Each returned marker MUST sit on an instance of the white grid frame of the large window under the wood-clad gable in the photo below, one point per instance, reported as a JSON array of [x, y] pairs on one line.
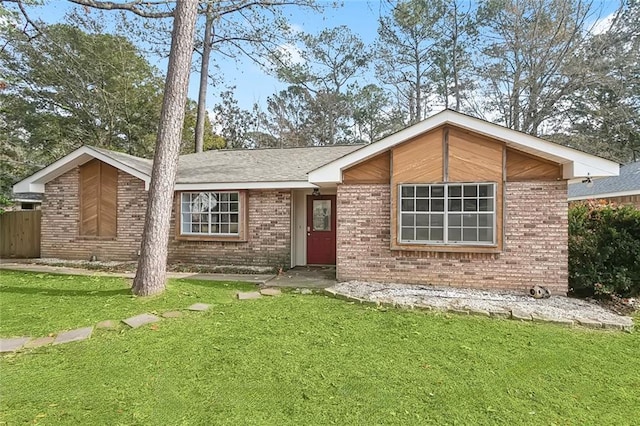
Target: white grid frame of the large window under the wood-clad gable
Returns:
[[451, 213]]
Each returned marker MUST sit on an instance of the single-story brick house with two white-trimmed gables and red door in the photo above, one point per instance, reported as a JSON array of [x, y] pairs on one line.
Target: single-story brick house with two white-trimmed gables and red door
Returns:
[[452, 200]]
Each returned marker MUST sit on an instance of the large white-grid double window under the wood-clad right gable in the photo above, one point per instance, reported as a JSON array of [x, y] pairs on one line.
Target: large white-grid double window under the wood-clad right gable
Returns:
[[448, 213]]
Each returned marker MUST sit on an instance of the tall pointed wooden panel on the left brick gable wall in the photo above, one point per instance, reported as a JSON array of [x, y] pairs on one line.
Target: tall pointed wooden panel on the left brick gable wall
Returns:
[[98, 199]]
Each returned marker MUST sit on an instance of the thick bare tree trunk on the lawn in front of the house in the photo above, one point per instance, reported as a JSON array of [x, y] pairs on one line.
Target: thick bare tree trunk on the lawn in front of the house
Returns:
[[152, 267]]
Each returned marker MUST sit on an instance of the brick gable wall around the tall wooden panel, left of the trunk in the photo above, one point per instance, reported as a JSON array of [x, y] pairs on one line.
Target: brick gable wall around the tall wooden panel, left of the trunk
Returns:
[[60, 219]]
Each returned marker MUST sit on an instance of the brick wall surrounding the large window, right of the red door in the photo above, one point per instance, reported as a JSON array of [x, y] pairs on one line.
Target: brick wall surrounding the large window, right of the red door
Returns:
[[535, 243]]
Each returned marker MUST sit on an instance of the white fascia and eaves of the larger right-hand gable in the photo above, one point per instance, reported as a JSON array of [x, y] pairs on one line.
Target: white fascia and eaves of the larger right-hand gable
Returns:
[[574, 163]]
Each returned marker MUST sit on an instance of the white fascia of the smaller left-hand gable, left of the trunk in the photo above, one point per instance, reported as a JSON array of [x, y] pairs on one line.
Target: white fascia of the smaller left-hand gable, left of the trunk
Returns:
[[36, 182]]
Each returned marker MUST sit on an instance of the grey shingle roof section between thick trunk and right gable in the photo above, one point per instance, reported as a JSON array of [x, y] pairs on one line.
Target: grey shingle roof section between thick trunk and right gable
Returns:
[[249, 168]]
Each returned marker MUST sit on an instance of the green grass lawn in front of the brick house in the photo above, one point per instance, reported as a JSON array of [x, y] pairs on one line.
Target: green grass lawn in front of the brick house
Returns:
[[298, 359]]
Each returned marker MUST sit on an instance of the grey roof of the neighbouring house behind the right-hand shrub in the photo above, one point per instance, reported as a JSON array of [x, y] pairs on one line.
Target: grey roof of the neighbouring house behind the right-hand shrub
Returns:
[[627, 183]]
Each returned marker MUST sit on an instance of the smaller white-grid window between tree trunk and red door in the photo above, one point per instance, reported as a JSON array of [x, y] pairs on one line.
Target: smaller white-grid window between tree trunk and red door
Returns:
[[210, 213]]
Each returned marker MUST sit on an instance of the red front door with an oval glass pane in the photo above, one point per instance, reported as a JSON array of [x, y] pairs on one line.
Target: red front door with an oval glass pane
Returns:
[[321, 230]]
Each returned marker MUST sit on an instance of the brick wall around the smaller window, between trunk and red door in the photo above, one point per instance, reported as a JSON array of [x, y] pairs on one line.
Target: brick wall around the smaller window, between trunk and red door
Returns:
[[268, 240]]
